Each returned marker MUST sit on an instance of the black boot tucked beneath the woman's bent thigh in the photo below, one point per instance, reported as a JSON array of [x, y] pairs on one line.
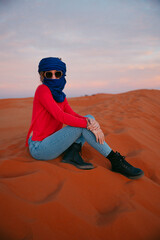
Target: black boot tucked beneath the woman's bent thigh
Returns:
[[72, 156]]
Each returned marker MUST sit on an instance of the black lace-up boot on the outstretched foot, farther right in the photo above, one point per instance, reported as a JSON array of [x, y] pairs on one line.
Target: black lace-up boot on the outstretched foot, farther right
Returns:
[[120, 165]]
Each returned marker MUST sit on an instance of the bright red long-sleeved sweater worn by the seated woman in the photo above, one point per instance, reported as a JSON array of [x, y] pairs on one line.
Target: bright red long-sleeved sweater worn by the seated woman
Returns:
[[48, 115]]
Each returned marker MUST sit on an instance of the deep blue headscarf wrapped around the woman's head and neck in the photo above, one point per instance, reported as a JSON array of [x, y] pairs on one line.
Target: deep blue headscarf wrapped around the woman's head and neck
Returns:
[[55, 85]]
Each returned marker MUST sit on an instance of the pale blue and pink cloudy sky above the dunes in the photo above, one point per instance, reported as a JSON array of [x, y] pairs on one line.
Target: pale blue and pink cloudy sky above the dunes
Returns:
[[109, 46]]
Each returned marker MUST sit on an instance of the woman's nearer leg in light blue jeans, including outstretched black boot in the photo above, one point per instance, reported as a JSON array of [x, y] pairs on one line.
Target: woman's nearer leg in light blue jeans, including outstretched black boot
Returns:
[[52, 146]]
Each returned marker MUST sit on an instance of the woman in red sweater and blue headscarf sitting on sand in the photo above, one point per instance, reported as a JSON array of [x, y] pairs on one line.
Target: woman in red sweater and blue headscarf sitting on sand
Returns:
[[51, 110]]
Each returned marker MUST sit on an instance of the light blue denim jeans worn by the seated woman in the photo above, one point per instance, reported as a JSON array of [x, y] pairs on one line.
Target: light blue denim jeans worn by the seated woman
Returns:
[[54, 145]]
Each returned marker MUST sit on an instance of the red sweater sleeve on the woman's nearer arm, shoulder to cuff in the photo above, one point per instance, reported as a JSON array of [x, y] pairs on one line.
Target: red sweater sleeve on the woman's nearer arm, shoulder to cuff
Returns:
[[45, 98]]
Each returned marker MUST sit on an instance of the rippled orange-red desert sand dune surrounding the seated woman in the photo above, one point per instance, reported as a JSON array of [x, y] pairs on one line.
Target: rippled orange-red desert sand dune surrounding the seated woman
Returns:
[[53, 200]]
